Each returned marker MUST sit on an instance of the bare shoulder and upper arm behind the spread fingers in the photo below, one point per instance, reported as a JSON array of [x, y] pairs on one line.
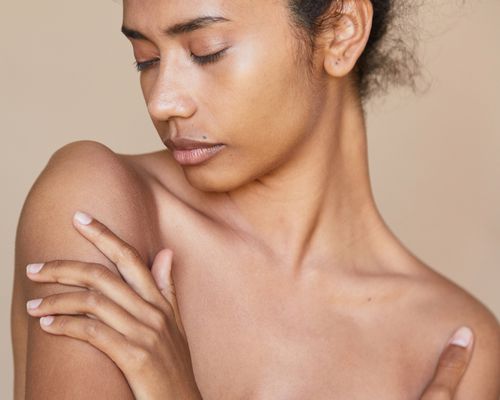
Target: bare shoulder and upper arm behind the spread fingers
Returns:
[[83, 176]]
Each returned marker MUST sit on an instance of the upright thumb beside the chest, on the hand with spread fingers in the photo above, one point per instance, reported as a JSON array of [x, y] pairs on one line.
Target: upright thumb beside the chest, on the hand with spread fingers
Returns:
[[162, 274]]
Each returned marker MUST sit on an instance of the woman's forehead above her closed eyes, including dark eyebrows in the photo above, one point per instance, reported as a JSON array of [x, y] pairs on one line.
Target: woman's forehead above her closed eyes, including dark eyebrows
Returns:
[[161, 20]]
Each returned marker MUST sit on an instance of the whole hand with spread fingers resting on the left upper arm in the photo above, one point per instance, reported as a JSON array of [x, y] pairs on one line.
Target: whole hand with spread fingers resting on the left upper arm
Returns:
[[134, 320]]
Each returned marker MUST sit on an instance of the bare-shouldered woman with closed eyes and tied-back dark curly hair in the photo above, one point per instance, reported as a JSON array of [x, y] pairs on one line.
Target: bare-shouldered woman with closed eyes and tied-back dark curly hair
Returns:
[[288, 281]]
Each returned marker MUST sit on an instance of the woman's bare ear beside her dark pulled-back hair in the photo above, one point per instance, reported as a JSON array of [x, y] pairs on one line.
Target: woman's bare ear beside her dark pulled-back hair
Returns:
[[348, 38]]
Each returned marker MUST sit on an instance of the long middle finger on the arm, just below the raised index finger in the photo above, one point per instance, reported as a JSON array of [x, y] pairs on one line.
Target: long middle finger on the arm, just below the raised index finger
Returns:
[[96, 277]]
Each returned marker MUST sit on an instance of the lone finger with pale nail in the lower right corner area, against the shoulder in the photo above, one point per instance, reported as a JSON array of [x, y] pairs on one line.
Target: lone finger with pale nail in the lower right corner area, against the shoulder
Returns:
[[451, 366]]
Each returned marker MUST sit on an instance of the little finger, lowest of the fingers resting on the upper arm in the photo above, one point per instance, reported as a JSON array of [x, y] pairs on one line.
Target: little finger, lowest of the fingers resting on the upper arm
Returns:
[[112, 343]]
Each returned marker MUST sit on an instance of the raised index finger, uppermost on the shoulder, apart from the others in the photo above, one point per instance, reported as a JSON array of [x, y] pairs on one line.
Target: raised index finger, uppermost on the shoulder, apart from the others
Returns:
[[125, 257]]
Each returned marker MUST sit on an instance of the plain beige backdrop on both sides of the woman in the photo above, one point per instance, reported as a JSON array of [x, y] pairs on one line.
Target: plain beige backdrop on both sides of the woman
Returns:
[[66, 74]]
